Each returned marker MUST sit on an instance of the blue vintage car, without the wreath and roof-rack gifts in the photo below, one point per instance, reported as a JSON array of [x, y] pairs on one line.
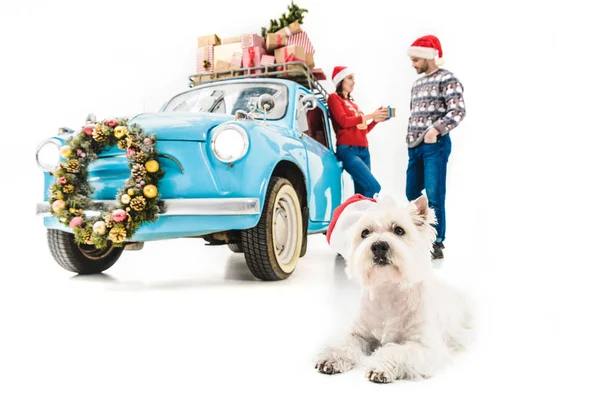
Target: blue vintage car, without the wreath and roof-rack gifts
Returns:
[[249, 163]]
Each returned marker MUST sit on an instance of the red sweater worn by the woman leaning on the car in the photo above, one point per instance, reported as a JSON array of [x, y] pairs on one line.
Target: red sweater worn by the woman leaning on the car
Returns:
[[346, 119]]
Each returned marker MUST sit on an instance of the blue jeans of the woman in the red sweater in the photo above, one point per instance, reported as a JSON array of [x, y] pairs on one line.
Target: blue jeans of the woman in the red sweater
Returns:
[[357, 162]]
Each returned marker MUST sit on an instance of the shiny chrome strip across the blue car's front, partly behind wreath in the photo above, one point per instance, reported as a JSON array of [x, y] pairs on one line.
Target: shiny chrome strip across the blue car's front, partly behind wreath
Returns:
[[213, 206]]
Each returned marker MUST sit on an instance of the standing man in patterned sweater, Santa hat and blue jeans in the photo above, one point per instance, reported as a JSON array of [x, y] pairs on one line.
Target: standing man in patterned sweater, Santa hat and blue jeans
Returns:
[[437, 106]]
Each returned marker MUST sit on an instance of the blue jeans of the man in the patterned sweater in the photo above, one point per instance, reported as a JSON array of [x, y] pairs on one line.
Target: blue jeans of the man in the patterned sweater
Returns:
[[427, 170]]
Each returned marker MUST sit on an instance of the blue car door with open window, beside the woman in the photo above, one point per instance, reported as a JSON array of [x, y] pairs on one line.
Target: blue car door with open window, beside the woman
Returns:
[[324, 171]]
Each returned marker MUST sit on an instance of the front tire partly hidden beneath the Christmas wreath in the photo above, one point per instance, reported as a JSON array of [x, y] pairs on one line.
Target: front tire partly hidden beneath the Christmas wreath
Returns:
[[82, 259]]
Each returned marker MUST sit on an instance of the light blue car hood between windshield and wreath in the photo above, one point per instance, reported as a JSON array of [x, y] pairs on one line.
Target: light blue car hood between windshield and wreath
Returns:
[[179, 125]]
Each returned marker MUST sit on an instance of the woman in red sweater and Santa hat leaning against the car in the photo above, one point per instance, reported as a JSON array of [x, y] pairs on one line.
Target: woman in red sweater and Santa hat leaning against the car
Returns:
[[351, 128]]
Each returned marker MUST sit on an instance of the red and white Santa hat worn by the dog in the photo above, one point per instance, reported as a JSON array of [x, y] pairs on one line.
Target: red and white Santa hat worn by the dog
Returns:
[[344, 216]]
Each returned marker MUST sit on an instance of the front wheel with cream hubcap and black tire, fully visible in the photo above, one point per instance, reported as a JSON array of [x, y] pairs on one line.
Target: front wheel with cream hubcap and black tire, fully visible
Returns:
[[272, 248]]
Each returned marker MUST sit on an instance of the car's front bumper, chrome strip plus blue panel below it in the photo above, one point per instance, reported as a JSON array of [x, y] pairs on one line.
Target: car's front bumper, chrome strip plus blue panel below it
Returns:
[[179, 218]]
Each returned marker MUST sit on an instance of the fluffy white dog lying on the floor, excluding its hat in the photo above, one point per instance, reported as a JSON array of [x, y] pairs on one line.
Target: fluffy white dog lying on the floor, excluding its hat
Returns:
[[410, 323]]
